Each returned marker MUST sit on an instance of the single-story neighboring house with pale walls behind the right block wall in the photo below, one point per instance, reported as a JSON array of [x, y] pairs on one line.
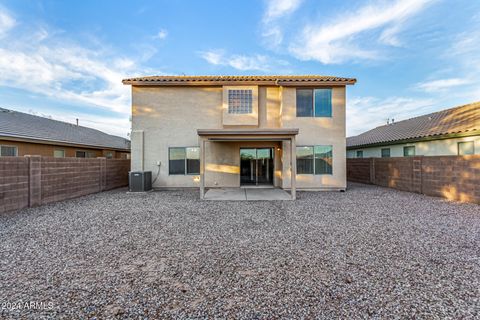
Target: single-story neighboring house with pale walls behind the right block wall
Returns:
[[454, 131]]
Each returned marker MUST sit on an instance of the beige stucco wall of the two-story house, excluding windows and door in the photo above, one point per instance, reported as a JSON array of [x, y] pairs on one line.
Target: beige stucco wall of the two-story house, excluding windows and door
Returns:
[[166, 117]]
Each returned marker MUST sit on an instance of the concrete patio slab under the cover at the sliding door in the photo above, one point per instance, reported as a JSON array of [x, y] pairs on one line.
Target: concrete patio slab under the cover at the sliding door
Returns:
[[239, 194]]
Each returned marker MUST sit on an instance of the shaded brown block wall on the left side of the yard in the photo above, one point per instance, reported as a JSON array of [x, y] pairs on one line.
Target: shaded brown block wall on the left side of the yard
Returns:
[[33, 180]]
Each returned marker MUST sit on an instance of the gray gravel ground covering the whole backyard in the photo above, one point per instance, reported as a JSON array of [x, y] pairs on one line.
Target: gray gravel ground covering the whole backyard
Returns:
[[368, 253]]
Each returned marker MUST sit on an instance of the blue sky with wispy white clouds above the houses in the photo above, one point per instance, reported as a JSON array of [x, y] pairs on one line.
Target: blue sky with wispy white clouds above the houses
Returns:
[[66, 59]]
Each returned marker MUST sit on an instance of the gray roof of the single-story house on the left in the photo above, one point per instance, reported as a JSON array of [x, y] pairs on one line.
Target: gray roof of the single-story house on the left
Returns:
[[27, 126]]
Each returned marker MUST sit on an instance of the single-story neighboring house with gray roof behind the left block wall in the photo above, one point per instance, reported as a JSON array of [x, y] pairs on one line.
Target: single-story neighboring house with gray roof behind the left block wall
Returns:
[[25, 134]]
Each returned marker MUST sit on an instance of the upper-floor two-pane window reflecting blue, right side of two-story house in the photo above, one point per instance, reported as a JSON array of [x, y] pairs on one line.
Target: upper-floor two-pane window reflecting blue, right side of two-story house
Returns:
[[314, 102]]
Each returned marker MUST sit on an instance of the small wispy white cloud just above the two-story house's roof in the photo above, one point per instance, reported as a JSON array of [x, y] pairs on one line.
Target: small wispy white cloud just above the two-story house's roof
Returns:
[[255, 62]]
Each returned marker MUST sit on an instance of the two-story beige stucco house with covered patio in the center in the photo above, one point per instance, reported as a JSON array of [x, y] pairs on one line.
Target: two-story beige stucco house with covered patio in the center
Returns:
[[232, 131]]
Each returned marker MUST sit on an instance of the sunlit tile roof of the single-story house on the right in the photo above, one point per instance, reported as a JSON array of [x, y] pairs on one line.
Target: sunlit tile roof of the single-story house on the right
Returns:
[[461, 119]]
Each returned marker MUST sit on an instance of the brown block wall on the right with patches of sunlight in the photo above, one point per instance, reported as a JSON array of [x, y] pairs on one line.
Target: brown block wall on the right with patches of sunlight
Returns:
[[451, 177]]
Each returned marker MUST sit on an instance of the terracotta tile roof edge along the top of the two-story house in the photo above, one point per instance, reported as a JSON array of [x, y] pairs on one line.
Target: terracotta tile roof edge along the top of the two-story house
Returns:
[[220, 80]]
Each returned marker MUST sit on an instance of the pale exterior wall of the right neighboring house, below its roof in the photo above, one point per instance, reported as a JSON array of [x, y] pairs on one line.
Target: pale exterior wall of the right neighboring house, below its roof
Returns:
[[444, 147]]
